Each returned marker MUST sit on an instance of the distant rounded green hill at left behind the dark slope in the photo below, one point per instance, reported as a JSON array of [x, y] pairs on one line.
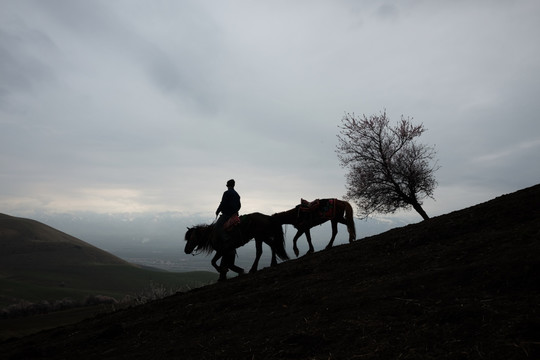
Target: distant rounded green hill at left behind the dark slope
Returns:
[[38, 262]]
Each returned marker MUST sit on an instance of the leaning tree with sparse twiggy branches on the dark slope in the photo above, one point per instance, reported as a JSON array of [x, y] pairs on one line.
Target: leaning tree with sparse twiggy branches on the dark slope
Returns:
[[388, 170]]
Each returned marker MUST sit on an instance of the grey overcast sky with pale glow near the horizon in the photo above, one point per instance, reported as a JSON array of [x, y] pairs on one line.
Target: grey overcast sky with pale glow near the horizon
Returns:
[[131, 106]]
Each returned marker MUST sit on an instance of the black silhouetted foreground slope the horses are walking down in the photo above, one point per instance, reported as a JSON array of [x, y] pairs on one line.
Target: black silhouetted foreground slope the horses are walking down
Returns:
[[459, 286]]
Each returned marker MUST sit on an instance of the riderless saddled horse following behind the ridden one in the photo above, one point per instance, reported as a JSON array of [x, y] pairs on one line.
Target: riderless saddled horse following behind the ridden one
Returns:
[[307, 215]]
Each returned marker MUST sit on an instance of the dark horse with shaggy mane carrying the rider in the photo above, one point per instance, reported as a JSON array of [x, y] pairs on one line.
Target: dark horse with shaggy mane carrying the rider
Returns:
[[262, 228]]
